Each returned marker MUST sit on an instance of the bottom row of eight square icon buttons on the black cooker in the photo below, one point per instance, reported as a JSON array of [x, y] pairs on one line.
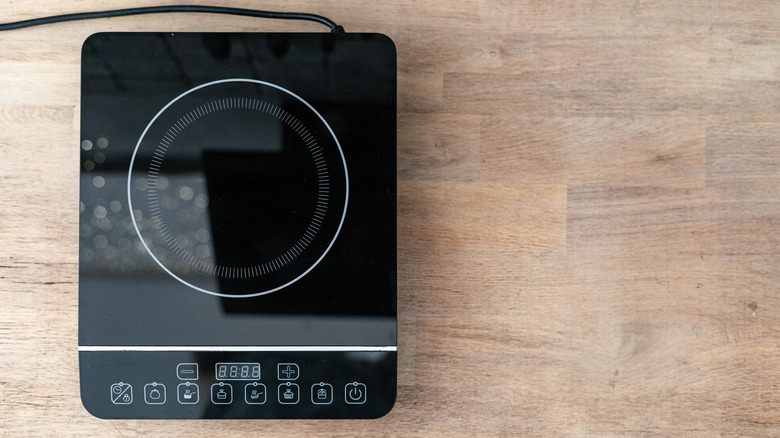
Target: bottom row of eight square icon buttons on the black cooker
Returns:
[[255, 393]]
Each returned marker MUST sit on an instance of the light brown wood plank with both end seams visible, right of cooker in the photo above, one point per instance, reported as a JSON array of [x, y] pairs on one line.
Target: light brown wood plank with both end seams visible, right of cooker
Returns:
[[607, 151]]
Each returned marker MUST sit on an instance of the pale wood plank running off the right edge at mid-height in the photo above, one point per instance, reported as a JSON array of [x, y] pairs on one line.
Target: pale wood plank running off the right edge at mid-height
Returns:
[[644, 220]]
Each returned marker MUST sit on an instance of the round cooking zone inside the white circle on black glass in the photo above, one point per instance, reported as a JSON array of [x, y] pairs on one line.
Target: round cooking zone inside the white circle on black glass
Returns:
[[238, 188]]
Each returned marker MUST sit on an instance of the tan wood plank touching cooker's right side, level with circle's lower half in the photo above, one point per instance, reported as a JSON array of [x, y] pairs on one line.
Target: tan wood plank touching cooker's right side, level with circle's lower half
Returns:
[[472, 216]]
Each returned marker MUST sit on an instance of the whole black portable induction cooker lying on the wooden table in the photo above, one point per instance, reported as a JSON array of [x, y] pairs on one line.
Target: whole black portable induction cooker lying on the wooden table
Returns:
[[237, 244]]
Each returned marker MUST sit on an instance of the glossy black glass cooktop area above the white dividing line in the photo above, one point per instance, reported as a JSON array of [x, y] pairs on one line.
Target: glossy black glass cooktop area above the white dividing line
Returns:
[[230, 196]]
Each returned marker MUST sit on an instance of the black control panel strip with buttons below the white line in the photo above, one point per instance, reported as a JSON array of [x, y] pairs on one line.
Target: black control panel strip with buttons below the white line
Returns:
[[238, 384]]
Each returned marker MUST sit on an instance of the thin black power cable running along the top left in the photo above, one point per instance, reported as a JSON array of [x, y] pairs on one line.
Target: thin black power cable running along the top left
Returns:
[[335, 28]]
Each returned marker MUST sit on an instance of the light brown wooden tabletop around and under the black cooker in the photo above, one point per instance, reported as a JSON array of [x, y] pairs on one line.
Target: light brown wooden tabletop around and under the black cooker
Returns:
[[588, 216]]
